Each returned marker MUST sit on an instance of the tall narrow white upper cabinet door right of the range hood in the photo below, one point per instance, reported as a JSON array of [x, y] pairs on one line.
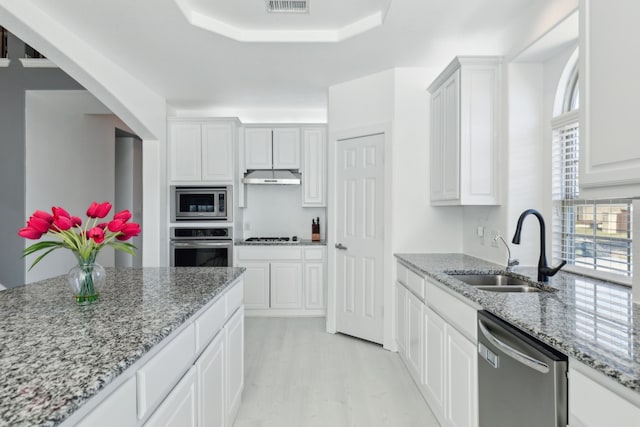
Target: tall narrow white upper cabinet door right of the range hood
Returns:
[[314, 167]]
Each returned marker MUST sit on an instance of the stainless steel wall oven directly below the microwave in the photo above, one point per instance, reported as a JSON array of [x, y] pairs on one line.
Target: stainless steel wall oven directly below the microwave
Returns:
[[201, 247]]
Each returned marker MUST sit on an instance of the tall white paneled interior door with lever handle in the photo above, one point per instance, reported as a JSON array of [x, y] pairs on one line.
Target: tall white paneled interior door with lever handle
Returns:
[[360, 236]]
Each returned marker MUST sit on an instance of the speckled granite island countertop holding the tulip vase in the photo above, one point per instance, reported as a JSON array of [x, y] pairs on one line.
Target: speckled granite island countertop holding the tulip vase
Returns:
[[55, 354]]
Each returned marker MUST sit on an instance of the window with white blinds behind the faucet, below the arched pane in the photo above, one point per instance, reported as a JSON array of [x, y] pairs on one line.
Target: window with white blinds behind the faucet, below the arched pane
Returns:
[[593, 234]]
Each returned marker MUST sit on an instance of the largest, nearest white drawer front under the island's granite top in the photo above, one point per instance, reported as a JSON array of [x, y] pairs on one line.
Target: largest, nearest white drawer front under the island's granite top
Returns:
[[162, 372]]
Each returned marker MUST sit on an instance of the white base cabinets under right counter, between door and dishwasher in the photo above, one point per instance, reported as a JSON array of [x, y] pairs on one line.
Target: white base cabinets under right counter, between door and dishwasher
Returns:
[[438, 350]]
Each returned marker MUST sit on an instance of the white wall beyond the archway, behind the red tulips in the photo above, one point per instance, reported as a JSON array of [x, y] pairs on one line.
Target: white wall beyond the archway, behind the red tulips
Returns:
[[70, 162]]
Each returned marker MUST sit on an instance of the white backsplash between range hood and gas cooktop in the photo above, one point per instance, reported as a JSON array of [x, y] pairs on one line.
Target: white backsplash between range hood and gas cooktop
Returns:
[[276, 211]]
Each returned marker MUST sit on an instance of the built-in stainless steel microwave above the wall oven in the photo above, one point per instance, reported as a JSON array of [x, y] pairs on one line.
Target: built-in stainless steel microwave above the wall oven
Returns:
[[201, 204]]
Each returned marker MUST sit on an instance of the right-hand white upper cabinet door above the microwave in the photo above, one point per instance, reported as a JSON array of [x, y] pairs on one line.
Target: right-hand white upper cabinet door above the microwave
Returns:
[[217, 152]]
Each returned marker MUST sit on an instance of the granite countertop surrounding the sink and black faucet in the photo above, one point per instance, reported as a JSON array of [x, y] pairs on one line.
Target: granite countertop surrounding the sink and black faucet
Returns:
[[590, 320]]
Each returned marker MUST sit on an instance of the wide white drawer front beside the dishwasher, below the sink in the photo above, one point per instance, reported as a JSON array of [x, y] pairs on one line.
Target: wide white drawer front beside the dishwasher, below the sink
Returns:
[[456, 312]]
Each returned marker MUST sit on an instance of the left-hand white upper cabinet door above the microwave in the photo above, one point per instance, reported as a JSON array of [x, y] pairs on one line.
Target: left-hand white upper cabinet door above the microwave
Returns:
[[185, 151]]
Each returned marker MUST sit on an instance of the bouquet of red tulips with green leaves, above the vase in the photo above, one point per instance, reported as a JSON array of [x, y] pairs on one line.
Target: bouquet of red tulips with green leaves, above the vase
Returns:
[[84, 241]]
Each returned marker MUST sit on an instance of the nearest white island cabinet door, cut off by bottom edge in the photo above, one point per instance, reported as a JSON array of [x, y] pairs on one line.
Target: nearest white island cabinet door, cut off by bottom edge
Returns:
[[179, 408]]
